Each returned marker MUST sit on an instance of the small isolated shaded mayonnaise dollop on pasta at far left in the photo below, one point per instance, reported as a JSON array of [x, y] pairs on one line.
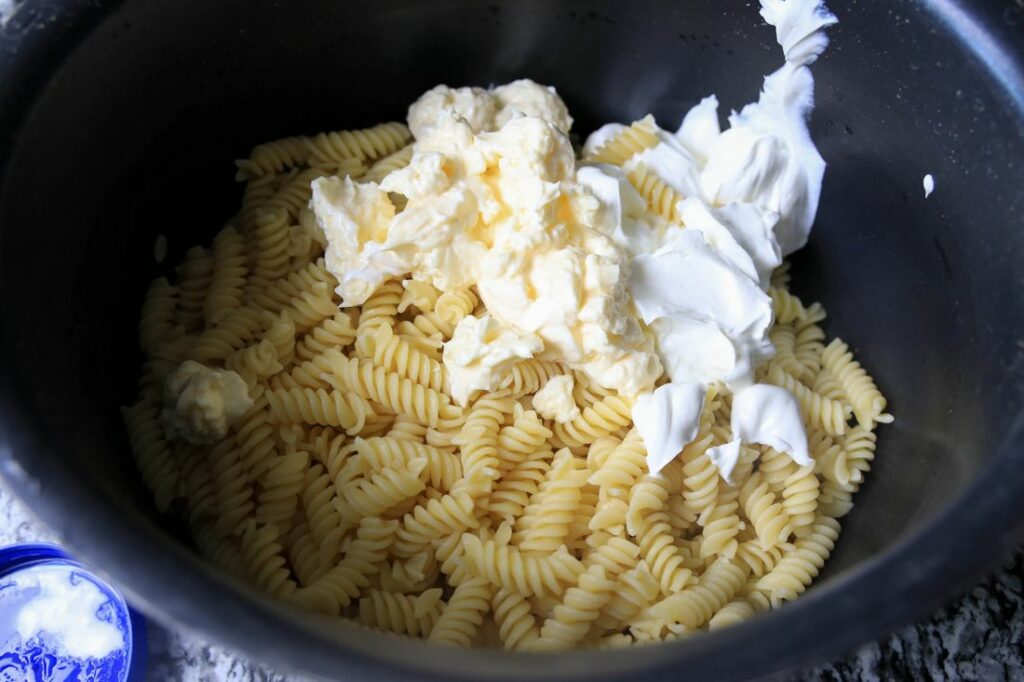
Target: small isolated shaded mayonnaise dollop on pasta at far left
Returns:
[[201, 403]]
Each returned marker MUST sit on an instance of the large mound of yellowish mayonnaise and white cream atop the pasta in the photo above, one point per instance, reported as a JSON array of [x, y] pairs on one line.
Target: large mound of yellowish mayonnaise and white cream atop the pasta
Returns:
[[572, 267]]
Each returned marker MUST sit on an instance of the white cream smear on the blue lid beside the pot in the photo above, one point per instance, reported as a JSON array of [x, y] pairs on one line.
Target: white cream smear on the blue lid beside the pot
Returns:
[[67, 613]]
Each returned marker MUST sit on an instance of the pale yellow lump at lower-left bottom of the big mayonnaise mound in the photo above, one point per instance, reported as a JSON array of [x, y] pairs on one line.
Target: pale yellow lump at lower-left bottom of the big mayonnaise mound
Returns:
[[480, 354]]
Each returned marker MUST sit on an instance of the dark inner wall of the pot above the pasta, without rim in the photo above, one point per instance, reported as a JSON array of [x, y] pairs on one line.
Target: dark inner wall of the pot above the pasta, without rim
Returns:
[[135, 134]]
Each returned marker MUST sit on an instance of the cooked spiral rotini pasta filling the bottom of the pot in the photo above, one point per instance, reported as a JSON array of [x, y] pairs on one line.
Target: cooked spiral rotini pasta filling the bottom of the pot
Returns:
[[356, 487]]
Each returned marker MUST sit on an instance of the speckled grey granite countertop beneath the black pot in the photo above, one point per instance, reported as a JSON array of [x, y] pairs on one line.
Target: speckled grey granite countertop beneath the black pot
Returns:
[[978, 637]]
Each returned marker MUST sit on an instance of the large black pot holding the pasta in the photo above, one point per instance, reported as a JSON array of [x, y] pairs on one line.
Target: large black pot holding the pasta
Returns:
[[120, 121]]
